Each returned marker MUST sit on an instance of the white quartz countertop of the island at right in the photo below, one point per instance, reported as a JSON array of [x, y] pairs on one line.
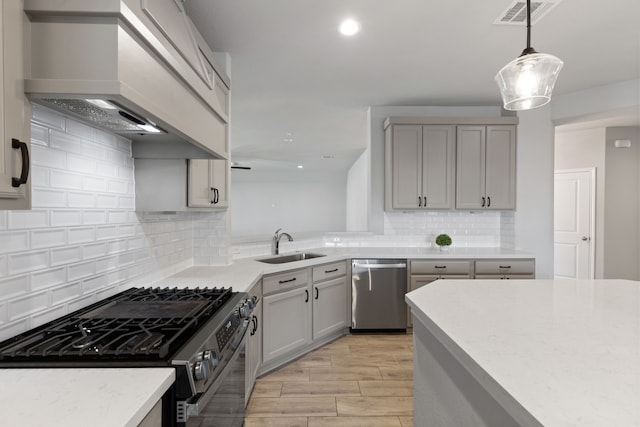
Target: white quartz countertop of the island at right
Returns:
[[568, 351]]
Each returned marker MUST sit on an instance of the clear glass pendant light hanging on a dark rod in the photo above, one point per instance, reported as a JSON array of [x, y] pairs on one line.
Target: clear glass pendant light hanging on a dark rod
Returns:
[[527, 81]]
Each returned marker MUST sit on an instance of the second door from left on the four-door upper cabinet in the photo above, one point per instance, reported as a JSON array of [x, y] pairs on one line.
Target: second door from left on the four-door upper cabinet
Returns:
[[437, 166]]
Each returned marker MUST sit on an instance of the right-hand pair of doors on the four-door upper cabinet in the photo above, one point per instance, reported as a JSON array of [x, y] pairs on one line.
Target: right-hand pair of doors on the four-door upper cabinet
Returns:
[[486, 167]]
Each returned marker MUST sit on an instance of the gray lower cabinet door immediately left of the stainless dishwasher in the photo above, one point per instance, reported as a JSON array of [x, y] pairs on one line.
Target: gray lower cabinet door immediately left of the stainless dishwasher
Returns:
[[329, 307]]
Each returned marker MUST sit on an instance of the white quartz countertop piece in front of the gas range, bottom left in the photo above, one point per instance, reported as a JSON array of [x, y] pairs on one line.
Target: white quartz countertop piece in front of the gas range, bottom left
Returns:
[[80, 397]]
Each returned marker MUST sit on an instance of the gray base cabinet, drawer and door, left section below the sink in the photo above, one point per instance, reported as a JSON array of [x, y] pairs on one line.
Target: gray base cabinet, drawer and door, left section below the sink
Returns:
[[287, 314]]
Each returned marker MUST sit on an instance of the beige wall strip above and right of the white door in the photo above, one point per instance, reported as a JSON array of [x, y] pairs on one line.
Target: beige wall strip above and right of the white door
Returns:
[[585, 148]]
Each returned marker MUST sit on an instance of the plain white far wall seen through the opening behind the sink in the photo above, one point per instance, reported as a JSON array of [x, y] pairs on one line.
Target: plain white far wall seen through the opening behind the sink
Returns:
[[308, 201]]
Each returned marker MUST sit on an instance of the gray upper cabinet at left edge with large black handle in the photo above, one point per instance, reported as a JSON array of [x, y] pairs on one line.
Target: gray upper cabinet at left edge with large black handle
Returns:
[[15, 123]]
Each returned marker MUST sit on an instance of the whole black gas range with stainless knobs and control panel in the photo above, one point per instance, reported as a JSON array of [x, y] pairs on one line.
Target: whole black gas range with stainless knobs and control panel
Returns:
[[198, 331]]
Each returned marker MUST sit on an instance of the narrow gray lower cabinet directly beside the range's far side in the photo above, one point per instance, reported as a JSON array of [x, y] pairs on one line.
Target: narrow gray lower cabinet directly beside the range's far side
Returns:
[[254, 342]]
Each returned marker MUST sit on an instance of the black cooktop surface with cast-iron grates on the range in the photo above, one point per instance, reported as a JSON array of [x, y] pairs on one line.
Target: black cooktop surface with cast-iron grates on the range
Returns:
[[138, 324]]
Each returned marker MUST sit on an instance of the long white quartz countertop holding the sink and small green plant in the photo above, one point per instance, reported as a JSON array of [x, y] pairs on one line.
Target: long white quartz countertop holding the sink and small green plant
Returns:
[[246, 272]]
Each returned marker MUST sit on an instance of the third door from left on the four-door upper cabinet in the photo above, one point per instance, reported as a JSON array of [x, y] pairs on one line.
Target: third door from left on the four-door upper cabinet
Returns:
[[470, 167]]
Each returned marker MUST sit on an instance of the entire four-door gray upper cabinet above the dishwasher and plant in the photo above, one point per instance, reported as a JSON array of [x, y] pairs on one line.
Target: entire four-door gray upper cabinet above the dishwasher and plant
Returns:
[[446, 163]]
